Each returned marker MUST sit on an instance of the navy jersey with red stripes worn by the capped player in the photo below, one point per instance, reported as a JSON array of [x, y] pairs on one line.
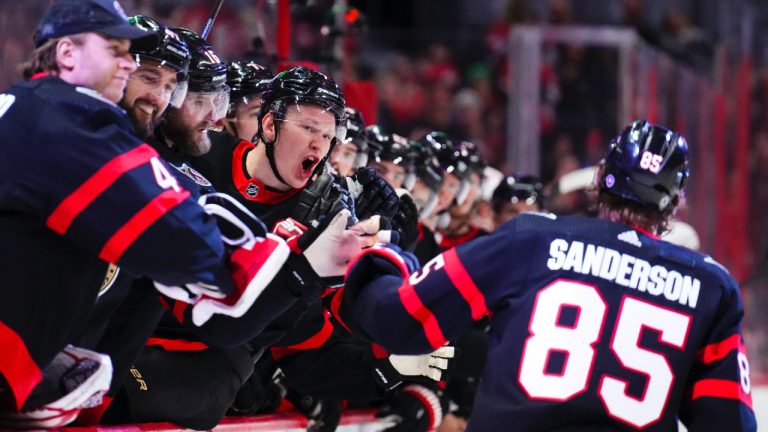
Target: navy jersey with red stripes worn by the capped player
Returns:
[[78, 190]]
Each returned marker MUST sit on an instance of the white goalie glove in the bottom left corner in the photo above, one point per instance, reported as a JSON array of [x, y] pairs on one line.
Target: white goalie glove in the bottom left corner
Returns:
[[76, 379]]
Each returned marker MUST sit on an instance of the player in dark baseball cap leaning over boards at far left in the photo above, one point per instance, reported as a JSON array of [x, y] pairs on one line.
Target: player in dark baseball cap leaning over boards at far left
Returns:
[[82, 194]]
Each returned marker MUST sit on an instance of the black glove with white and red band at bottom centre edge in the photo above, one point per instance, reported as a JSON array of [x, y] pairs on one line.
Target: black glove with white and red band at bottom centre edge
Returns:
[[415, 408]]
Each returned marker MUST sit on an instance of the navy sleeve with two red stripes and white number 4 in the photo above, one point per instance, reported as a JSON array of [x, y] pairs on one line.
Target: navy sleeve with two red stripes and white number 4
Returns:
[[99, 186]]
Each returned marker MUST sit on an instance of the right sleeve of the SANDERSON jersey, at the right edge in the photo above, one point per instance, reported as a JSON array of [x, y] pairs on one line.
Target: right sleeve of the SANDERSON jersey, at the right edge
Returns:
[[719, 395]]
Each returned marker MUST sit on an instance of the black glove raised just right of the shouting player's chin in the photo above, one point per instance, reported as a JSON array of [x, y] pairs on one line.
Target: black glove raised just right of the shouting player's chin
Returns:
[[373, 195]]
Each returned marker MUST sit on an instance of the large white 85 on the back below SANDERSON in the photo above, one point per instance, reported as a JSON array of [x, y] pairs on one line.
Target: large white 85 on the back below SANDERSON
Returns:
[[576, 340]]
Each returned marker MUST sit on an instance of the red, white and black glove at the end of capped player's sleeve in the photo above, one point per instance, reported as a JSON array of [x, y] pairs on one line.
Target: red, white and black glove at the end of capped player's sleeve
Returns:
[[255, 257]]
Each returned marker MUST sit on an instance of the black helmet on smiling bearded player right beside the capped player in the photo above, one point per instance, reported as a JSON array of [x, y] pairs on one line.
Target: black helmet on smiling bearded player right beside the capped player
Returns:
[[168, 48]]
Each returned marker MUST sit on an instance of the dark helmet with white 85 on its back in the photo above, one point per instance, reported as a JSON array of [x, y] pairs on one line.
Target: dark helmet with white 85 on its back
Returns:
[[646, 164]]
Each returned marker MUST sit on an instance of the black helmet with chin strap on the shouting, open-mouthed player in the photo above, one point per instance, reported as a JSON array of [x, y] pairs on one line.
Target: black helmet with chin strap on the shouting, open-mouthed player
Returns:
[[299, 85]]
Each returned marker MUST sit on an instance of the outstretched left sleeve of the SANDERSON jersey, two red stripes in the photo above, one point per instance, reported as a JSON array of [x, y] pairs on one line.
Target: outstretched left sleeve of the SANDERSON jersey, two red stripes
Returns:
[[419, 312]]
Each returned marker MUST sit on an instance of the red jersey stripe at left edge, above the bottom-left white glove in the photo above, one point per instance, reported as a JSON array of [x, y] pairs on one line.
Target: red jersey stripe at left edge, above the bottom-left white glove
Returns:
[[17, 366]]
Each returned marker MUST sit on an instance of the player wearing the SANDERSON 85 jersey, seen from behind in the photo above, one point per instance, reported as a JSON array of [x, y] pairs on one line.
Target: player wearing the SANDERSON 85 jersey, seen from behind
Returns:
[[620, 330]]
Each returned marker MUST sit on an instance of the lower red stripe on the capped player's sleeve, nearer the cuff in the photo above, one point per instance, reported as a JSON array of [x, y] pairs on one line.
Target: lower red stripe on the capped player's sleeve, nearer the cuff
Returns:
[[128, 233]]
